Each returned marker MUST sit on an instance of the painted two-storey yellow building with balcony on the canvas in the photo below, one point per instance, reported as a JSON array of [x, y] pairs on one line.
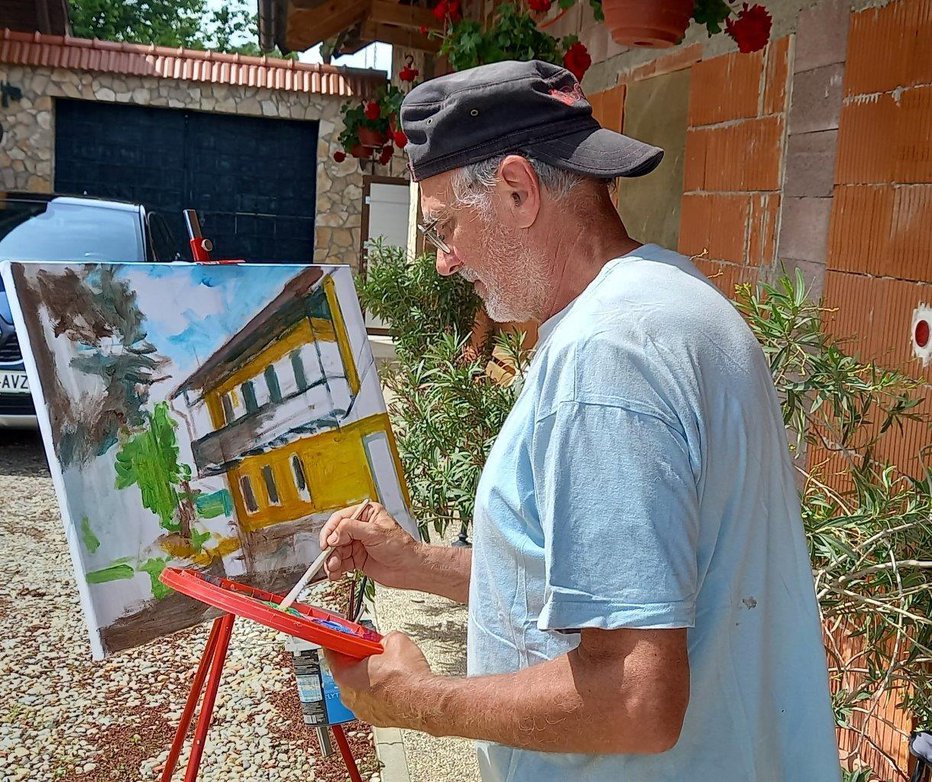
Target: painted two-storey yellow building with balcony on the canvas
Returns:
[[296, 423]]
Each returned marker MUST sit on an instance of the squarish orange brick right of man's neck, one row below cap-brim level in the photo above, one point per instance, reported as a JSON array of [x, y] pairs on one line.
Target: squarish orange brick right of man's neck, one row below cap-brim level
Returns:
[[714, 226]]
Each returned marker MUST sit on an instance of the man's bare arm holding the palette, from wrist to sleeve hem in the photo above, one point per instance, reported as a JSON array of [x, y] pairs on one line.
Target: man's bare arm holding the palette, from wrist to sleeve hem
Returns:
[[568, 704]]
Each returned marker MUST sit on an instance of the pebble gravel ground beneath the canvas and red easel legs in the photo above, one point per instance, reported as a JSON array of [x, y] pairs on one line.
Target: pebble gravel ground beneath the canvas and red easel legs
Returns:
[[64, 717]]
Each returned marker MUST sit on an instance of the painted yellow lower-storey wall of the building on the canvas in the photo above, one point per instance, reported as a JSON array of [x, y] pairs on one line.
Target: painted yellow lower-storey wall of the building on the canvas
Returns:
[[335, 465]]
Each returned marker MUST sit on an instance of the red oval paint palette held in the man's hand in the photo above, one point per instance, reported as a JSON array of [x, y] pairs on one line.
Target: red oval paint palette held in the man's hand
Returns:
[[316, 625]]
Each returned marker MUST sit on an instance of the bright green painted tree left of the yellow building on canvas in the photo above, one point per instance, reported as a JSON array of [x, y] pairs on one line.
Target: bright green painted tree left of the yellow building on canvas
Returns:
[[148, 458]]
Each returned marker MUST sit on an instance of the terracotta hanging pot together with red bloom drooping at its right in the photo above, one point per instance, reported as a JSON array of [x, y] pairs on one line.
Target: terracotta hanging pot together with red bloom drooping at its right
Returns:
[[663, 23]]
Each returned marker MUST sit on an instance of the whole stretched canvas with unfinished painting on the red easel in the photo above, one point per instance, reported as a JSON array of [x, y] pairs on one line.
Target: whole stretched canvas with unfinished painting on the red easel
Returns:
[[208, 416]]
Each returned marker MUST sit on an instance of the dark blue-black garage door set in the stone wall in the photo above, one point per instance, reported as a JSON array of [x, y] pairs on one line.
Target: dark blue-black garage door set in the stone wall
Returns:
[[251, 179]]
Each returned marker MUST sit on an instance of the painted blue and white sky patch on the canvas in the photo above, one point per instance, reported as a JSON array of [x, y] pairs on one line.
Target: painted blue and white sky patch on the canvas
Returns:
[[192, 310]]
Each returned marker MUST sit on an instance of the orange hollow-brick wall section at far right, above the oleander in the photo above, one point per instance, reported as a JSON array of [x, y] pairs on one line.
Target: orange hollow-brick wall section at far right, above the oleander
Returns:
[[879, 261]]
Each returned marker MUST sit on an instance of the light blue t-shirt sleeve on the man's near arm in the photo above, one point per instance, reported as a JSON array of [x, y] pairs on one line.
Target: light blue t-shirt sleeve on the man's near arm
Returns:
[[618, 505]]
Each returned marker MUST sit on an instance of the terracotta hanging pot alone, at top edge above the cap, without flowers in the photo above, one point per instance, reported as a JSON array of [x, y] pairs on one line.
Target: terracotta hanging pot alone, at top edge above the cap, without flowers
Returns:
[[652, 23]]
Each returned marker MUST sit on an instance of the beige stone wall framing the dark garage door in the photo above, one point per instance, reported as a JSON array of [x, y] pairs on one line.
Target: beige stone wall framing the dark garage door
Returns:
[[28, 143]]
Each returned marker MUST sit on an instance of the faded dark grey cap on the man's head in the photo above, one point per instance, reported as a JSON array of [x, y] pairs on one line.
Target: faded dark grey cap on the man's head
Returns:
[[533, 108]]
